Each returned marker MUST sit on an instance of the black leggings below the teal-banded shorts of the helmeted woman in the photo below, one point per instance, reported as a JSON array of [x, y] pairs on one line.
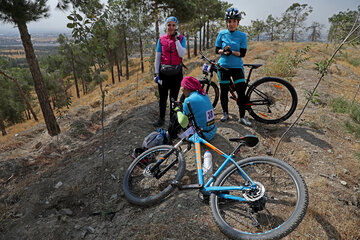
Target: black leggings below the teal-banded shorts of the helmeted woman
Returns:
[[240, 89]]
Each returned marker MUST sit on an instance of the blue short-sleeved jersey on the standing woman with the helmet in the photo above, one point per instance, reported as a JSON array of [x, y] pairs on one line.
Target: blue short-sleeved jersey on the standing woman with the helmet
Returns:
[[235, 40]]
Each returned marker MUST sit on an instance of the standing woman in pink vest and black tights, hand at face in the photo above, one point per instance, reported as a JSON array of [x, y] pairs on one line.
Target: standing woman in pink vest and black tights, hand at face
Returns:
[[170, 50]]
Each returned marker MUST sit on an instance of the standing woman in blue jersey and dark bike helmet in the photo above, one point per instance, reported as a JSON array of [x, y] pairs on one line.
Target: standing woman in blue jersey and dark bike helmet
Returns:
[[232, 45]]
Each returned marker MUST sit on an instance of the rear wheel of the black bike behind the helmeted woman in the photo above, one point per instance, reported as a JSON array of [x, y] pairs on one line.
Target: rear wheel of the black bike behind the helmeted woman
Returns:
[[271, 100]]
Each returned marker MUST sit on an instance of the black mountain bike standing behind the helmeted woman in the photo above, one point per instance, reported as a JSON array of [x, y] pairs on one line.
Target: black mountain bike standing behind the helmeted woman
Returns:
[[269, 99]]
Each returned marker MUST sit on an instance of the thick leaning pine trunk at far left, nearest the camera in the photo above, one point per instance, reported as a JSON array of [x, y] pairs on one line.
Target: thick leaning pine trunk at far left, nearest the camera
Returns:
[[40, 89]]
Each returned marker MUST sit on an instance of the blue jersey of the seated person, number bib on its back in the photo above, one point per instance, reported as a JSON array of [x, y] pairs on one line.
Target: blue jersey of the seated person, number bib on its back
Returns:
[[203, 112]]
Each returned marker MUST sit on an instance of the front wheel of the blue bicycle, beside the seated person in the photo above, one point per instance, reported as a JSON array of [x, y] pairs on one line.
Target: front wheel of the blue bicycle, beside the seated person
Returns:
[[144, 187]]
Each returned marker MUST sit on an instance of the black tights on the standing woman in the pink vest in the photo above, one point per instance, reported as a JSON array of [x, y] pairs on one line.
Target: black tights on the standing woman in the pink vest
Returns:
[[168, 83]]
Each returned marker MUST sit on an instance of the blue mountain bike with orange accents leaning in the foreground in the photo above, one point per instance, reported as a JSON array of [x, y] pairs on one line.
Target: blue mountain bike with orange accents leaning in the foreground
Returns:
[[254, 198]]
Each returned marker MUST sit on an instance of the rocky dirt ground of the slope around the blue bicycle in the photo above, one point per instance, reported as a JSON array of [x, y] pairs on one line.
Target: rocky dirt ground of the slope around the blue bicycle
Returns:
[[64, 188]]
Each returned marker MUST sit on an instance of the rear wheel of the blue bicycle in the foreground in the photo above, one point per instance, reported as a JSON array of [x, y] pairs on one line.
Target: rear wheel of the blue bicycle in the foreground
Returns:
[[271, 211]]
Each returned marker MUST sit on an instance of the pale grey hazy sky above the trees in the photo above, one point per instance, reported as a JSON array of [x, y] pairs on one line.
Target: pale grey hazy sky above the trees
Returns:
[[254, 9]]
